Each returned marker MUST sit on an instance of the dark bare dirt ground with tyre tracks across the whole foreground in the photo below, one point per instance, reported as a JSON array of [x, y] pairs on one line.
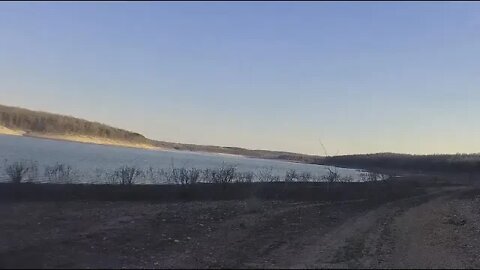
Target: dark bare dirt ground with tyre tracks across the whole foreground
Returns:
[[439, 230]]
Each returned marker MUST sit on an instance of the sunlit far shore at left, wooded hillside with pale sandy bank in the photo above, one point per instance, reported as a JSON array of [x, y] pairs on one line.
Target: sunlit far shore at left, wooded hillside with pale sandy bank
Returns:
[[23, 122]]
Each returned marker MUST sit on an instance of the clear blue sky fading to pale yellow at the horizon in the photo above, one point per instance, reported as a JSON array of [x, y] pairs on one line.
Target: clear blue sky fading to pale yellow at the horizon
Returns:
[[359, 77]]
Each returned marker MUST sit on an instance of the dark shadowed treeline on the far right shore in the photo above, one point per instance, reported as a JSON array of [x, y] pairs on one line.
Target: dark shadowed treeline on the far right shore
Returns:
[[466, 163]]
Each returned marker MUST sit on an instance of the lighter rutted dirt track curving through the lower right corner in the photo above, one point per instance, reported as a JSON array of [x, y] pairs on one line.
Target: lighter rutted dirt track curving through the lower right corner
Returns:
[[411, 233]]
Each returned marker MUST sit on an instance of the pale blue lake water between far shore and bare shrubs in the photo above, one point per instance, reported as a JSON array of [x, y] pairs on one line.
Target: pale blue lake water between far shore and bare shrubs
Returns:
[[89, 161]]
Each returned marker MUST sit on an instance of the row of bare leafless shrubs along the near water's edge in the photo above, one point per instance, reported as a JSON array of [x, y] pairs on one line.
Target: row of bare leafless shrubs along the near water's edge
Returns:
[[62, 173]]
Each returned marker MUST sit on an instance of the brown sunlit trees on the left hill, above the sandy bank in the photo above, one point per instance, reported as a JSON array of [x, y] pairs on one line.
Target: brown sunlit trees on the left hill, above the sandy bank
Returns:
[[48, 123]]
